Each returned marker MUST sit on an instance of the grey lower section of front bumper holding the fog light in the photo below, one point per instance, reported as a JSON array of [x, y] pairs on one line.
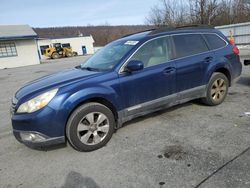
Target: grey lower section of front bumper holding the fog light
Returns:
[[35, 139]]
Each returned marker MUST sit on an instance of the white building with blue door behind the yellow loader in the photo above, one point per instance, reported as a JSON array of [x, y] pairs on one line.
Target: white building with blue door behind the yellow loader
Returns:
[[83, 45]]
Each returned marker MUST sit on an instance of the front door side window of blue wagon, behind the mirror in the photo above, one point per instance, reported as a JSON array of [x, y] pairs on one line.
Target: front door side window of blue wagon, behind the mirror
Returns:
[[154, 52]]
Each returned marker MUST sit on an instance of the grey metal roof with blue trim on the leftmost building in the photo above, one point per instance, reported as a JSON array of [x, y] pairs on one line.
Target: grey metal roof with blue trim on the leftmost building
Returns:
[[11, 32]]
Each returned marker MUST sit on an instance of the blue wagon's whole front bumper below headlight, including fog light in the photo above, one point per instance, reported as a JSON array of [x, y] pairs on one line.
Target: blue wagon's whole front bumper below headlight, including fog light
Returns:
[[42, 128]]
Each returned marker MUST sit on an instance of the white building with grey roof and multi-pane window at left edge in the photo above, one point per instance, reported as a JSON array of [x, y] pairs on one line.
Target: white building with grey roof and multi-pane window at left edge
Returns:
[[17, 46]]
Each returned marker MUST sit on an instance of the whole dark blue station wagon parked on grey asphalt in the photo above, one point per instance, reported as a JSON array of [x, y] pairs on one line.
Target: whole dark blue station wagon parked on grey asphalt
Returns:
[[129, 77]]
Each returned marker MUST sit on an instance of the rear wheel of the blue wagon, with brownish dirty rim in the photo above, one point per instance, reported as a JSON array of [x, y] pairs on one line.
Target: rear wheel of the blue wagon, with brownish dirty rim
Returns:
[[217, 89]]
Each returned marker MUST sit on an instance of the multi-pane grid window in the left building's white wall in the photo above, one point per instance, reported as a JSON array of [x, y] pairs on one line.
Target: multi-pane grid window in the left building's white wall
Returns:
[[7, 49]]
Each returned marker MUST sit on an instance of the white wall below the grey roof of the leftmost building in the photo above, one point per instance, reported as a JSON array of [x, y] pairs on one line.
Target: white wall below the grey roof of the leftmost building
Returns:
[[27, 54]]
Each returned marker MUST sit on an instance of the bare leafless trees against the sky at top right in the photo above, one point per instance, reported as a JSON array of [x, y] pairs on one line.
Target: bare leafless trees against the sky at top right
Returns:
[[209, 12]]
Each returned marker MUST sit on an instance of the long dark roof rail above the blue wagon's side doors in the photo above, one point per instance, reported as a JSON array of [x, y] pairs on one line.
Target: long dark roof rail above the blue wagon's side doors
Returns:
[[185, 27]]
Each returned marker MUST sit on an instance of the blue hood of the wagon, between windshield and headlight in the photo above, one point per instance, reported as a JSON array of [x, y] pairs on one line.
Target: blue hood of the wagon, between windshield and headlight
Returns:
[[53, 81]]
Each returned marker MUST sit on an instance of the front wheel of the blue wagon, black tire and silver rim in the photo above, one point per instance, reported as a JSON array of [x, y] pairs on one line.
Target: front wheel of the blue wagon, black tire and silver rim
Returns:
[[90, 127]]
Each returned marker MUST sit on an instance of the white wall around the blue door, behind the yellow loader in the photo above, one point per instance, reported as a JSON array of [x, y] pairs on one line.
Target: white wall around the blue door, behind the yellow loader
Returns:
[[75, 42]]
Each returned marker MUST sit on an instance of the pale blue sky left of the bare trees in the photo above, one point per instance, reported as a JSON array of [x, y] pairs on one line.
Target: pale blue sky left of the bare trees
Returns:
[[48, 13]]
